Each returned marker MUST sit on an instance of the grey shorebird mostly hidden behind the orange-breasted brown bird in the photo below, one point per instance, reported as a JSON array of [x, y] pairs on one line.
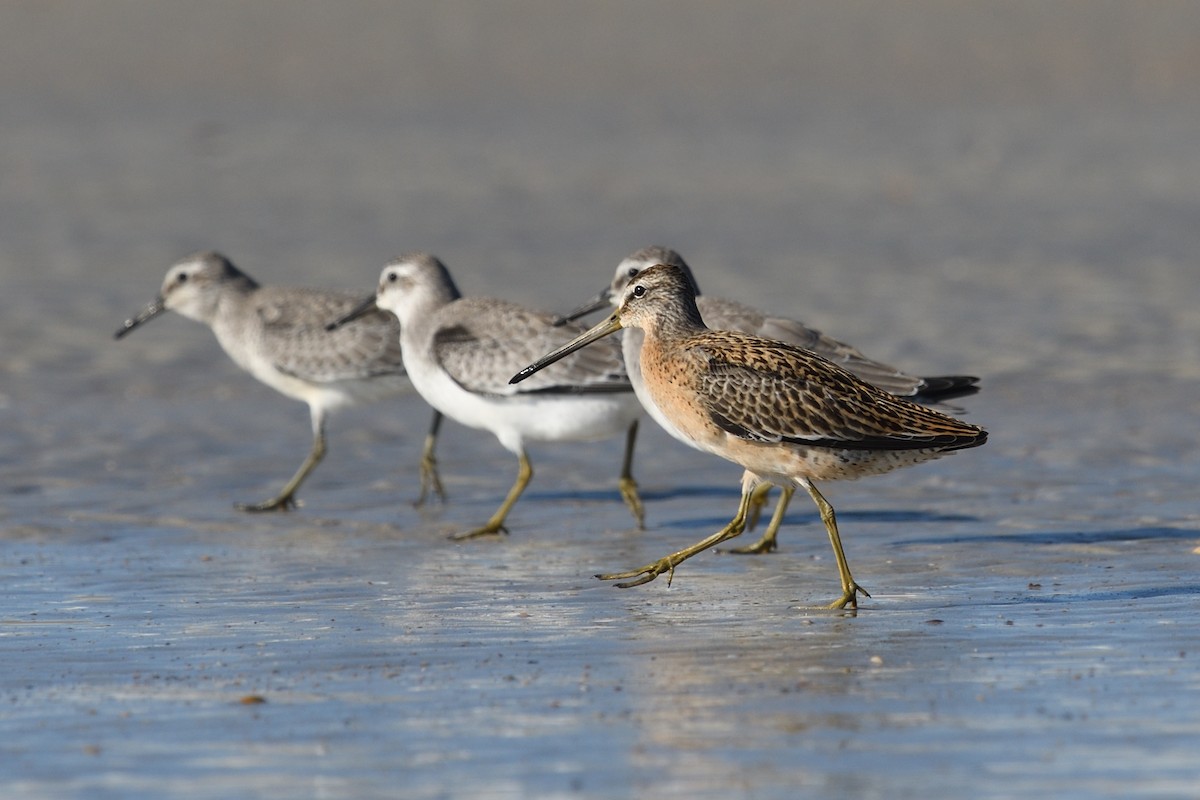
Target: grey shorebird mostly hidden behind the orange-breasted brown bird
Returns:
[[730, 316]]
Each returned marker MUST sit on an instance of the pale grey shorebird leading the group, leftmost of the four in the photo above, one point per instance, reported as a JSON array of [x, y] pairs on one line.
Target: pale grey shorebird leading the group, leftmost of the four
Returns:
[[278, 335]]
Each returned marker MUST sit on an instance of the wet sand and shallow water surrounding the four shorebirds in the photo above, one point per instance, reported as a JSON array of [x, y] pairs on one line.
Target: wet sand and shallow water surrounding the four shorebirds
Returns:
[[1033, 628]]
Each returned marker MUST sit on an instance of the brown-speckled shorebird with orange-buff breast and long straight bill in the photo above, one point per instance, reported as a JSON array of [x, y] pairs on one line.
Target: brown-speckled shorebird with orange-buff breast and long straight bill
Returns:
[[781, 412]]
